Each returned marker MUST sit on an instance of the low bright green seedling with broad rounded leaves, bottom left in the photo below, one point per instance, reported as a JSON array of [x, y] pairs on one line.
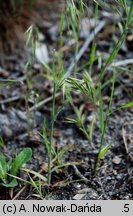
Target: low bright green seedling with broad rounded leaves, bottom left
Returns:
[[9, 170]]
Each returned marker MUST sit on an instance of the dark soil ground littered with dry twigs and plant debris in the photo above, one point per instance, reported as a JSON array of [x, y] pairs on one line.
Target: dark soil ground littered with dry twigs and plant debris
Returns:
[[114, 179]]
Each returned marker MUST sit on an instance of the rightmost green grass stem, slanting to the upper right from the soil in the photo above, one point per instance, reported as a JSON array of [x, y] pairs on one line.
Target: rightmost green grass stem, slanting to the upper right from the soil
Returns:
[[103, 122]]
